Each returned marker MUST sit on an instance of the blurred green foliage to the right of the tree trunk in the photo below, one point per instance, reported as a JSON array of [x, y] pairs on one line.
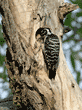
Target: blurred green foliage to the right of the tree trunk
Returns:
[[75, 55]]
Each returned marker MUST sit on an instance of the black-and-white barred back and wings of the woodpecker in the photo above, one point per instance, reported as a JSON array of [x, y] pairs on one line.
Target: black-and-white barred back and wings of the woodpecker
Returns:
[[51, 51]]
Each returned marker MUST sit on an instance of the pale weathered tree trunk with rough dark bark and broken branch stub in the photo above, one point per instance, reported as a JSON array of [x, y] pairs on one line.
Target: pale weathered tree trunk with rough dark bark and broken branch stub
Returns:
[[29, 80]]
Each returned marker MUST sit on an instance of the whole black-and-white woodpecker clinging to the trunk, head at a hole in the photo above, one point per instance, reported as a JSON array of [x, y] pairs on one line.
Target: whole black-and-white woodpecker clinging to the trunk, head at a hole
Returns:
[[50, 50]]
